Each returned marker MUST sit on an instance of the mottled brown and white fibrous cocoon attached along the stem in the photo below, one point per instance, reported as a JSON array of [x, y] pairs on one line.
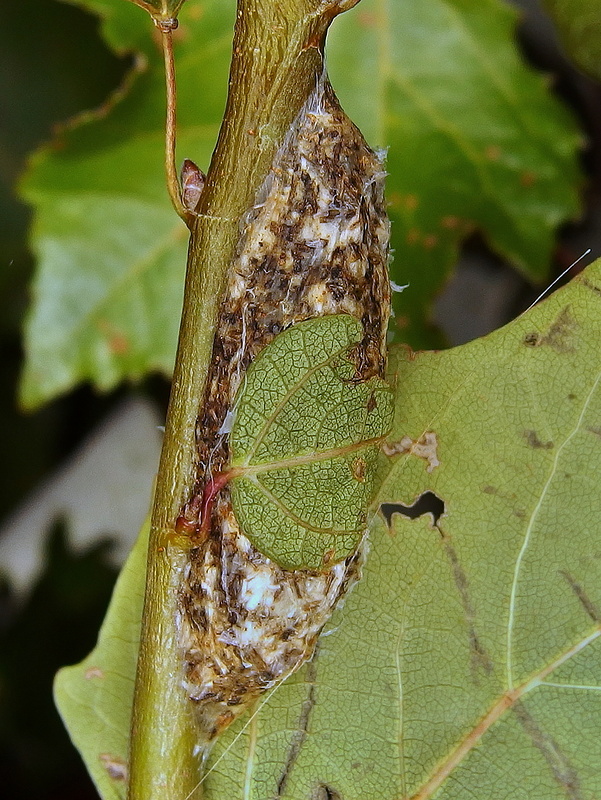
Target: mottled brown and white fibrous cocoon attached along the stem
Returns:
[[315, 242]]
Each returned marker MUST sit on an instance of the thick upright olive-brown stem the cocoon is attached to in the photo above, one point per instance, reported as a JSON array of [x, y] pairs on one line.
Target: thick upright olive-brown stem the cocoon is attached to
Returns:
[[277, 58]]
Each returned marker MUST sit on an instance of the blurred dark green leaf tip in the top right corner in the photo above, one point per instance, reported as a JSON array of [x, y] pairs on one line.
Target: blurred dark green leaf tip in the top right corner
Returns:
[[579, 25]]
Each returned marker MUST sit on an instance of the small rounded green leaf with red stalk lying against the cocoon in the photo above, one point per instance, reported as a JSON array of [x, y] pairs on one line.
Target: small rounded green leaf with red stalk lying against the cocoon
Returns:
[[306, 439]]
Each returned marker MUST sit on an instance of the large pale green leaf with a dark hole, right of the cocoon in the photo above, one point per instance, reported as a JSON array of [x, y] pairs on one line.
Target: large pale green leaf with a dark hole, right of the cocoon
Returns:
[[466, 661]]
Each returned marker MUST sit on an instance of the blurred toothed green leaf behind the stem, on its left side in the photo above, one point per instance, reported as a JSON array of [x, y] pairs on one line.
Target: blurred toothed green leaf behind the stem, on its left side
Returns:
[[112, 254]]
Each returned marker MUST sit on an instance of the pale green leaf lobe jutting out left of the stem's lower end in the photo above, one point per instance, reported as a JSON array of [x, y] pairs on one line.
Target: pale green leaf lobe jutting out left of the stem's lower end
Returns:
[[95, 697]]
